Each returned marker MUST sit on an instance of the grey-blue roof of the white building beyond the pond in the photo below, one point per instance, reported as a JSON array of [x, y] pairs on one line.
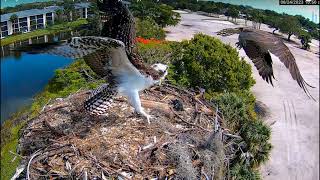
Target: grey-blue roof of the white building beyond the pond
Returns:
[[33, 12]]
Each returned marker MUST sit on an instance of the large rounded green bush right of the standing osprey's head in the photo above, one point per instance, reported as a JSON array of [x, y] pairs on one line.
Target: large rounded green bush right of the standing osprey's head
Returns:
[[206, 61]]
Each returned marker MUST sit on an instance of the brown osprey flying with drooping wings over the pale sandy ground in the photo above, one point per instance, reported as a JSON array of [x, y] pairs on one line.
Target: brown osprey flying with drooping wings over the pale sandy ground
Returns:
[[258, 45]]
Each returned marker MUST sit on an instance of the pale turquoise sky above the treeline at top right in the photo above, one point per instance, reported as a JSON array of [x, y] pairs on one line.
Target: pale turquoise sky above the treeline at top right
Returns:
[[304, 10]]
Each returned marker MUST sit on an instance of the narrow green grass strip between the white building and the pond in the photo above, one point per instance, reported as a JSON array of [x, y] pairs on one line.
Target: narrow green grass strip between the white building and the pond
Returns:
[[50, 30]]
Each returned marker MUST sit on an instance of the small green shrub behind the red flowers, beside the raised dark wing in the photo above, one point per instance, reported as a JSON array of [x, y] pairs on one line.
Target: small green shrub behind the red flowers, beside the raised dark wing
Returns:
[[148, 28]]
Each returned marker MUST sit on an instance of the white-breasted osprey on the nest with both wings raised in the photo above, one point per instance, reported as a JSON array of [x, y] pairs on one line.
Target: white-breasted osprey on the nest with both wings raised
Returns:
[[112, 57]]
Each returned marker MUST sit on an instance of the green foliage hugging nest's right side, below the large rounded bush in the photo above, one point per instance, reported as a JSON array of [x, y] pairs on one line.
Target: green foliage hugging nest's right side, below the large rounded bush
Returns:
[[255, 133]]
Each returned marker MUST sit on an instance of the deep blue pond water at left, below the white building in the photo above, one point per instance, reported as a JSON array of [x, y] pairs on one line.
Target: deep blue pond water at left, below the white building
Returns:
[[24, 75]]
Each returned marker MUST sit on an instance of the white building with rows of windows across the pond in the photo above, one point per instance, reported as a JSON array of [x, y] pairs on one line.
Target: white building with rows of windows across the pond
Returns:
[[29, 20]]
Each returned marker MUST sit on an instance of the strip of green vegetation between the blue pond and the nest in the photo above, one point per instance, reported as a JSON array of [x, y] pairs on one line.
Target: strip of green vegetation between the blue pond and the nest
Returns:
[[65, 82]]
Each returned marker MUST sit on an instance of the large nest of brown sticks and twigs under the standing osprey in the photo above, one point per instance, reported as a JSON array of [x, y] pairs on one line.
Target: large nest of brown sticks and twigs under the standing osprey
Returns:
[[183, 141]]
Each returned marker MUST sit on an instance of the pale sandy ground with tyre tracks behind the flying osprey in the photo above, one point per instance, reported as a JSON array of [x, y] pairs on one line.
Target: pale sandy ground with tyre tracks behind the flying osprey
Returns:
[[295, 132]]
